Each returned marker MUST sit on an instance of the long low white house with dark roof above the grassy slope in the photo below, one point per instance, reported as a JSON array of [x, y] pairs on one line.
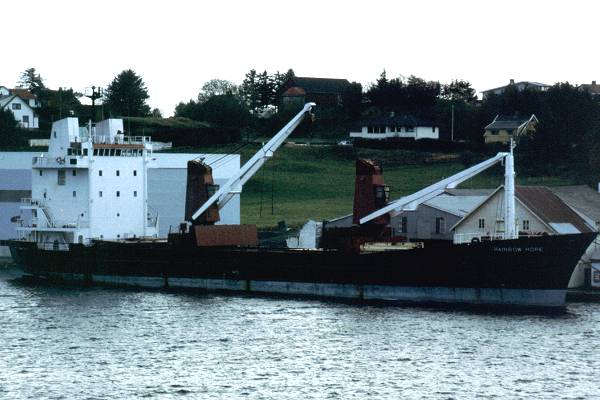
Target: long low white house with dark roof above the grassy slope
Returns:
[[395, 127]]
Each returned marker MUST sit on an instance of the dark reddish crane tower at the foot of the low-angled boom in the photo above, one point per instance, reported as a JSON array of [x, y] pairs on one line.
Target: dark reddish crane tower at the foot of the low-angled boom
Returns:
[[370, 193]]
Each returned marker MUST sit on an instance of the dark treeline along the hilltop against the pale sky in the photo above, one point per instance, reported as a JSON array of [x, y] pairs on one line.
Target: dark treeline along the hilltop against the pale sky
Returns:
[[566, 141]]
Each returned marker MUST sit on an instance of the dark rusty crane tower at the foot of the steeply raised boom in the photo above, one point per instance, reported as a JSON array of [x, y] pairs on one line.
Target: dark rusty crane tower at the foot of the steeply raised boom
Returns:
[[200, 186]]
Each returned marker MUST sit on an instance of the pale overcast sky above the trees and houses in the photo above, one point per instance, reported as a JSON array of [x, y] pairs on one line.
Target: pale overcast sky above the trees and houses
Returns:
[[177, 45]]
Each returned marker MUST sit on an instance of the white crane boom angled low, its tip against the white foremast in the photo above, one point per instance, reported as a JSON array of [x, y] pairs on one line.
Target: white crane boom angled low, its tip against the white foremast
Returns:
[[410, 202]]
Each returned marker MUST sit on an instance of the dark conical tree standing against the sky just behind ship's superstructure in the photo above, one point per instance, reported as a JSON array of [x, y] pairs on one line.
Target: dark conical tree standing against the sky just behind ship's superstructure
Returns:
[[126, 95]]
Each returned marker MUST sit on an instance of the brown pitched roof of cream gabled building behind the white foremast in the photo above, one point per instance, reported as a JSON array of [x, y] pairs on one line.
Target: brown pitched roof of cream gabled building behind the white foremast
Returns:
[[547, 206]]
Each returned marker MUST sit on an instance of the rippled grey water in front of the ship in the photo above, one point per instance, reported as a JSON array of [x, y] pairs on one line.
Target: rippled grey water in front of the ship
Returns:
[[73, 343]]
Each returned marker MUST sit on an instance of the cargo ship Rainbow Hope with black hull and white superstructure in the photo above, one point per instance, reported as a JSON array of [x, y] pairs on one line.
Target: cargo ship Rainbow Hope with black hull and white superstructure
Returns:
[[365, 261]]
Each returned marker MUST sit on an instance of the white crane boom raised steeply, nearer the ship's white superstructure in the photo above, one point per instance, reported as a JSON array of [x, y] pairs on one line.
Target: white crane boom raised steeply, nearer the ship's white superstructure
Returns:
[[235, 183]]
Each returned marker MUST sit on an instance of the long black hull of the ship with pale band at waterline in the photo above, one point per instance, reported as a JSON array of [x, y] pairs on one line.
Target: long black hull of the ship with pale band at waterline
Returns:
[[521, 272]]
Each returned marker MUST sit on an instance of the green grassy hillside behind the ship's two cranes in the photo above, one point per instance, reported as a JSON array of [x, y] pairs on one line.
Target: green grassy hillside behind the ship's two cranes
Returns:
[[317, 182]]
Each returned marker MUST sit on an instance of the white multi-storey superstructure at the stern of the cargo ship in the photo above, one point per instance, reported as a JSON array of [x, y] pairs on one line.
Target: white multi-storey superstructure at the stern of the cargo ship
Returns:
[[91, 184]]
